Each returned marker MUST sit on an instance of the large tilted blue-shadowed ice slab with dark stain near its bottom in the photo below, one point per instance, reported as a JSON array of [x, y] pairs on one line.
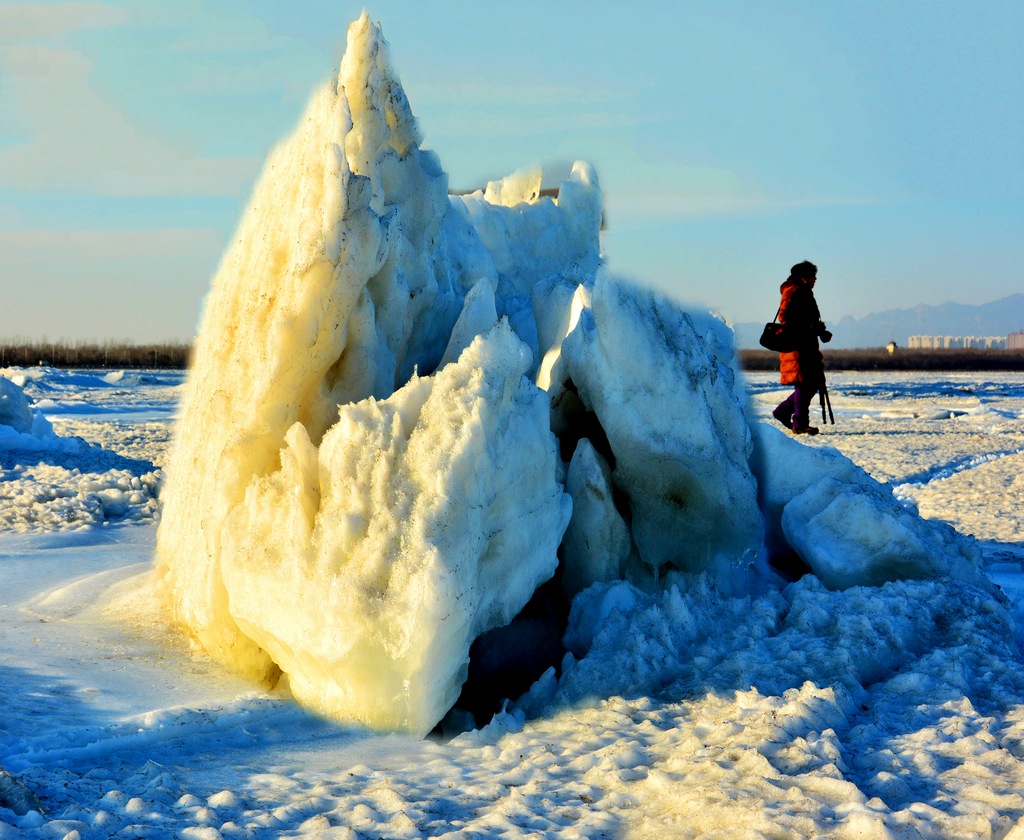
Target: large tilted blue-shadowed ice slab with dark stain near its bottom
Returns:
[[664, 387]]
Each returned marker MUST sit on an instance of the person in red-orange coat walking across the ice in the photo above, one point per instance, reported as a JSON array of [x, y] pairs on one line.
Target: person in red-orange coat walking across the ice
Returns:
[[804, 367]]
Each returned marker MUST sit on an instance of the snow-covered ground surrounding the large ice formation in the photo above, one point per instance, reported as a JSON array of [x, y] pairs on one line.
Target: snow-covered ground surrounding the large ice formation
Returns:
[[872, 712]]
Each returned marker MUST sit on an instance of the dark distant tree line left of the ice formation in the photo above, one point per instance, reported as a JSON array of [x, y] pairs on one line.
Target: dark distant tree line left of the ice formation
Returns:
[[23, 354]]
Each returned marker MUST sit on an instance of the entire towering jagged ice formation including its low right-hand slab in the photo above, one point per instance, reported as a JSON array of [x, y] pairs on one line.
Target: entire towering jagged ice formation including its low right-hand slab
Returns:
[[396, 394]]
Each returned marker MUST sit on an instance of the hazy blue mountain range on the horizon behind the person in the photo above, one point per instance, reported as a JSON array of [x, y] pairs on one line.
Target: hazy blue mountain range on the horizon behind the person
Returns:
[[999, 318]]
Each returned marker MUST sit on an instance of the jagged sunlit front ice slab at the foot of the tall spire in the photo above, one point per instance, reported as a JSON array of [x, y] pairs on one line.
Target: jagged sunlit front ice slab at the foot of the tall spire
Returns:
[[422, 522]]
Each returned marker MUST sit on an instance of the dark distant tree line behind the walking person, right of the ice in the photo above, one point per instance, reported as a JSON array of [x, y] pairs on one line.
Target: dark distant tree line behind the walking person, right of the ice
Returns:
[[872, 359]]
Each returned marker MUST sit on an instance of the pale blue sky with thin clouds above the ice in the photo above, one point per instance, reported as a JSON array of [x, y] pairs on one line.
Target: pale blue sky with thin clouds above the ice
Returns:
[[733, 140]]
